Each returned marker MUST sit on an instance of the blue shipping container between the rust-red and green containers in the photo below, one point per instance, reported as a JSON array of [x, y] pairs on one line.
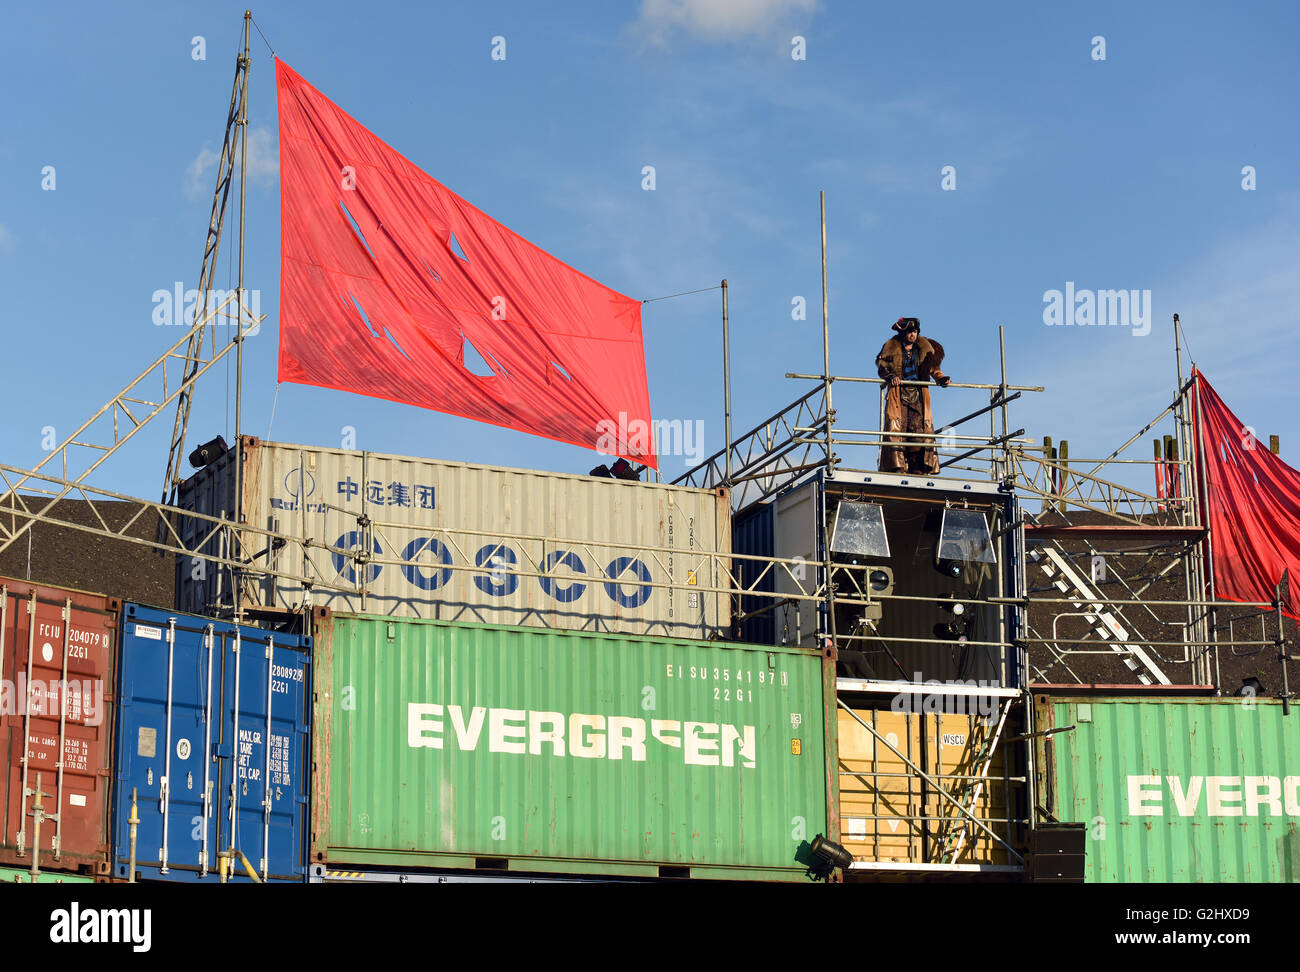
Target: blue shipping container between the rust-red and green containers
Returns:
[[214, 734]]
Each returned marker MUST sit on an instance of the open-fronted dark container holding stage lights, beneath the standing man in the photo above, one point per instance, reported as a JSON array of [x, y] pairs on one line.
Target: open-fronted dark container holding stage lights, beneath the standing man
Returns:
[[917, 546]]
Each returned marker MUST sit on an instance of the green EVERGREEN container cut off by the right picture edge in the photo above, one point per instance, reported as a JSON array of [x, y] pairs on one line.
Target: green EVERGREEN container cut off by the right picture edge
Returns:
[[1188, 791]]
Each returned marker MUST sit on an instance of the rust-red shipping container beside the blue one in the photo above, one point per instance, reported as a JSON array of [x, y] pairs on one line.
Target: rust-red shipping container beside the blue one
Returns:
[[58, 663]]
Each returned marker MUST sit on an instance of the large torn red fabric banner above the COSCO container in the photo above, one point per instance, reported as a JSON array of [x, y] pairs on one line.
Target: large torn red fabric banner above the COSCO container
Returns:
[[387, 276]]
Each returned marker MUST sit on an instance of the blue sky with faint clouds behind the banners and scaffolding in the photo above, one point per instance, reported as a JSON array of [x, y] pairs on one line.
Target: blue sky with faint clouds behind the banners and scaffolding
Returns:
[[1117, 173]]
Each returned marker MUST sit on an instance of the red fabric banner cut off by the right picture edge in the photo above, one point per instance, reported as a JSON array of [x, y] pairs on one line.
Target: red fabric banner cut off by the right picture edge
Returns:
[[1253, 505]]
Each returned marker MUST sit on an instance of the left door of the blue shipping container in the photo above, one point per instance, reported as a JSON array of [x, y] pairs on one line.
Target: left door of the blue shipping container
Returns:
[[166, 727]]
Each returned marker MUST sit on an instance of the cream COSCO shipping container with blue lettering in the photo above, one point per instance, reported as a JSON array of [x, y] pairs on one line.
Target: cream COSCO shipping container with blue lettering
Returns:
[[493, 545]]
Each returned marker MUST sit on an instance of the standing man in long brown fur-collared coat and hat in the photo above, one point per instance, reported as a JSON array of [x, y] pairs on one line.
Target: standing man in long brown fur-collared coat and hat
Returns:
[[908, 357]]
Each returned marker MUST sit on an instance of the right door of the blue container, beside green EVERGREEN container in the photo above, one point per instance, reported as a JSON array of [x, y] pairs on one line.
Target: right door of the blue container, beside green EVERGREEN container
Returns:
[[263, 787]]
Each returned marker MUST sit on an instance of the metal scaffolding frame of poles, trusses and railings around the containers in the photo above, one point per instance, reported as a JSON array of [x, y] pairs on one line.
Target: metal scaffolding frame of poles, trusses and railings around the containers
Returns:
[[794, 444]]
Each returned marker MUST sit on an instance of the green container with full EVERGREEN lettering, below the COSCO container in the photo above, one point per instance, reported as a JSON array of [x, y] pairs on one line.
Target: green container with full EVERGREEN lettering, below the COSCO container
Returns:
[[444, 745]]
